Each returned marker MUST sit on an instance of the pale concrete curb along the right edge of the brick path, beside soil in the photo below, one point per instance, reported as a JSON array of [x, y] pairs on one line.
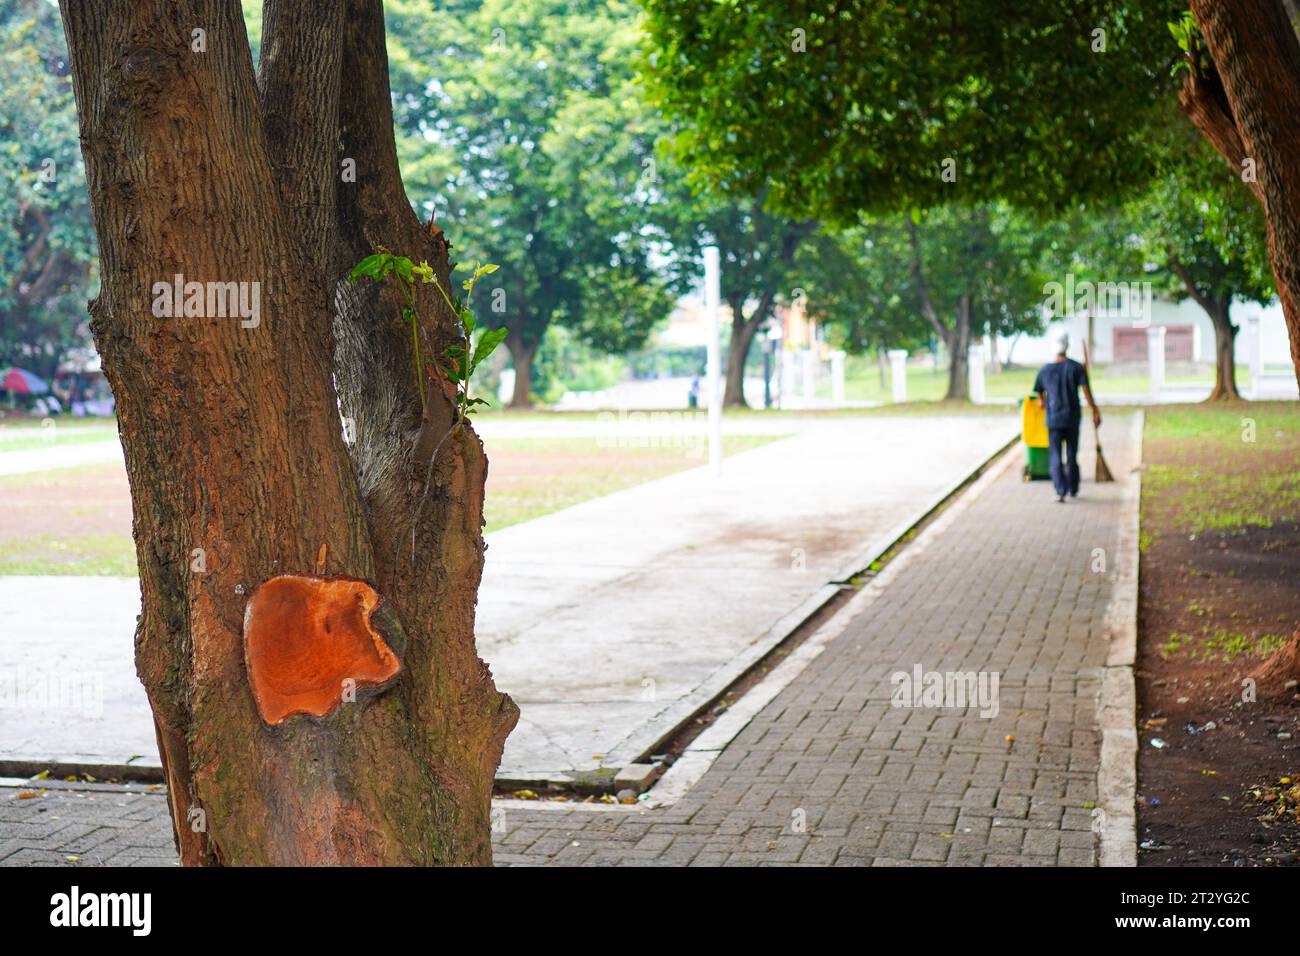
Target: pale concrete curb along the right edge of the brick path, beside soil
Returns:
[[1117, 707]]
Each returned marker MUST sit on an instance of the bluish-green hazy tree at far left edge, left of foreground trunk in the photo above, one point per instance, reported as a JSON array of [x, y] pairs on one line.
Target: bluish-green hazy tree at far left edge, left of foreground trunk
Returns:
[[47, 245]]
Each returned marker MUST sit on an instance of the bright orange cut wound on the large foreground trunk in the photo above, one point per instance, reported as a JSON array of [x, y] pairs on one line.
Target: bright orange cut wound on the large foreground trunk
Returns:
[[309, 642]]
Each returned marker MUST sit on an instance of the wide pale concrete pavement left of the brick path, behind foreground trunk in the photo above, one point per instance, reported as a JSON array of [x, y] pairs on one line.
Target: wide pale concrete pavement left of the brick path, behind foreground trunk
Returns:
[[609, 622]]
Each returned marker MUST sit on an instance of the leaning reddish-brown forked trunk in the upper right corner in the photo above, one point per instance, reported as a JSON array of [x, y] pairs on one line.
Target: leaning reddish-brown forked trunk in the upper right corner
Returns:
[[1247, 110]]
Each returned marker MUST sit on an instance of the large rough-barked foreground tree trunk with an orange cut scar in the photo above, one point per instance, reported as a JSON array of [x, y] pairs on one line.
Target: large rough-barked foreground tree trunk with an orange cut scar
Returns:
[[233, 440]]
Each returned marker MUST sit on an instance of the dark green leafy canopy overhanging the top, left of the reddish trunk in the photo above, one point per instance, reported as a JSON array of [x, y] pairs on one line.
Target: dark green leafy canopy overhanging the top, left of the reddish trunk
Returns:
[[864, 107]]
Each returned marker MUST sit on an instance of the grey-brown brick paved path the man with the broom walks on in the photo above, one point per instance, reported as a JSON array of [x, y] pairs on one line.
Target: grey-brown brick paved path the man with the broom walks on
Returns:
[[830, 772]]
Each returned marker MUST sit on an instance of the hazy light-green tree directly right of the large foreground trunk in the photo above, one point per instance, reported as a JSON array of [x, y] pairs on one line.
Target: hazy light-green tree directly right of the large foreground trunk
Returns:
[[525, 136]]
